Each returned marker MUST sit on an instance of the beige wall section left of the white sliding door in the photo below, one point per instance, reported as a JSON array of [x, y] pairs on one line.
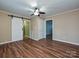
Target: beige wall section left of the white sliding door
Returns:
[[5, 28]]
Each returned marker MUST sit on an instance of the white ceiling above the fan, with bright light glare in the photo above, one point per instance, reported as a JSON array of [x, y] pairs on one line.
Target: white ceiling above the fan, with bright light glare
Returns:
[[25, 7]]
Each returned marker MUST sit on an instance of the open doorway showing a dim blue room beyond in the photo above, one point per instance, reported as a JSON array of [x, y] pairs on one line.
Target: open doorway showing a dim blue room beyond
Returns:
[[49, 29]]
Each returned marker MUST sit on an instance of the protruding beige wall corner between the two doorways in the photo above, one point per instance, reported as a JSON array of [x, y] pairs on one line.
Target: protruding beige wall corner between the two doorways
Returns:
[[37, 28]]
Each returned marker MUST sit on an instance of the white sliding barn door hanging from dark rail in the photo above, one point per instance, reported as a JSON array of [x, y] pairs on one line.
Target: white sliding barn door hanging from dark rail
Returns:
[[17, 25]]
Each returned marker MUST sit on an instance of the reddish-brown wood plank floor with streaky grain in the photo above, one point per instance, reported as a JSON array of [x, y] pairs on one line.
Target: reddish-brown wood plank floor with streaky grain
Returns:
[[38, 49]]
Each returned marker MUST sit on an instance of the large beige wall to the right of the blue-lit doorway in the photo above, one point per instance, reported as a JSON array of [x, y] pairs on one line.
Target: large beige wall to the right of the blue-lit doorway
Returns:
[[66, 27]]
